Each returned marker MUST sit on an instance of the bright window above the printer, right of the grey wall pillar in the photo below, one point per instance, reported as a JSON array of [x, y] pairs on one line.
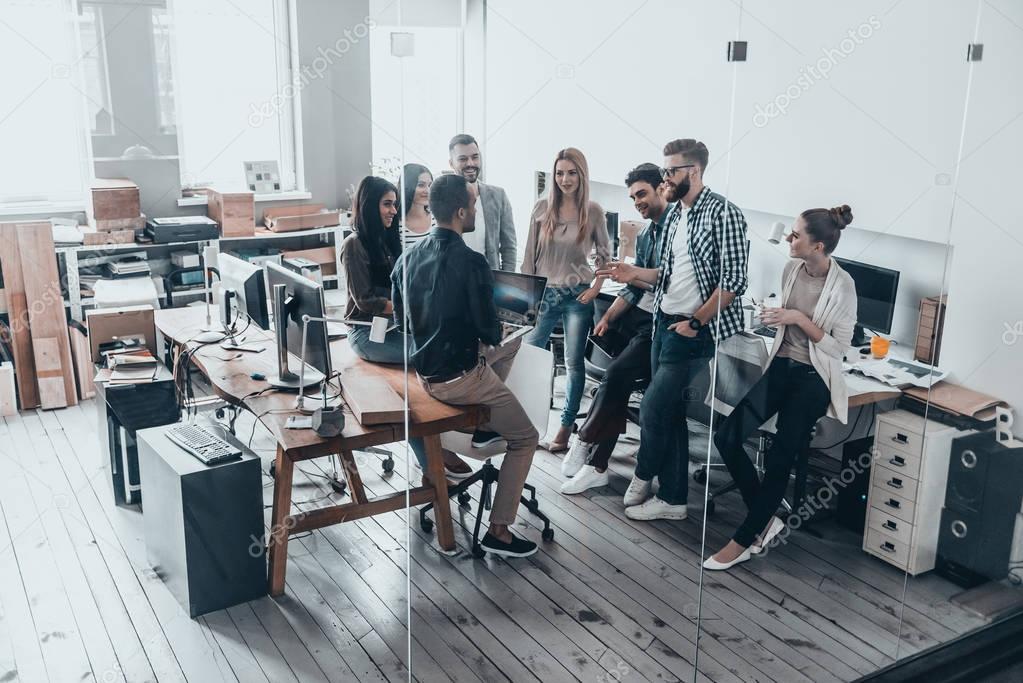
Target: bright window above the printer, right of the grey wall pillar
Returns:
[[233, 89]]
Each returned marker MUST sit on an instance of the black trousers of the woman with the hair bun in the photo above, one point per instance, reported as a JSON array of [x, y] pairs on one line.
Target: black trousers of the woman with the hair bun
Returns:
[[797, 394]]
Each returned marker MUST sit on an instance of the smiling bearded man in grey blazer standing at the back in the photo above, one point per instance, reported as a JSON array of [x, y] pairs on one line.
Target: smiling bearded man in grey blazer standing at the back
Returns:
[[497, 240]]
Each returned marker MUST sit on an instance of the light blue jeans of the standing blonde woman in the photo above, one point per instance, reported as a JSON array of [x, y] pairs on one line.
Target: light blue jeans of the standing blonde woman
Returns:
[[561, 305]]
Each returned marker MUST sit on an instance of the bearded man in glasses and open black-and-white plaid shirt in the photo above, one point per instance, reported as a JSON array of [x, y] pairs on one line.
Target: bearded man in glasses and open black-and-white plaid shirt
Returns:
[[696, 306]]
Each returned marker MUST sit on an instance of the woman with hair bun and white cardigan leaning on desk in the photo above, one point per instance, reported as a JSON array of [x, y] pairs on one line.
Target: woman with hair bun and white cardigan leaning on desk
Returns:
[[804, 381]]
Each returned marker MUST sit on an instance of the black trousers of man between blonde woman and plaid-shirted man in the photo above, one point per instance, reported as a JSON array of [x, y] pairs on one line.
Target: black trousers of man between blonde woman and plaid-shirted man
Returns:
[[607, 418]]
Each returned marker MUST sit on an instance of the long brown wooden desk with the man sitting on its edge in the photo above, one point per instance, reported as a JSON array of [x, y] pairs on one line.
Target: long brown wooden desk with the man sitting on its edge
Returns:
[[230, 373]]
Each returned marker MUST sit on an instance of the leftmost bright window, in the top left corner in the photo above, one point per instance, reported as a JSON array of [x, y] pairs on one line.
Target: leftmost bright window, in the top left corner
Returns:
[[42, 117]]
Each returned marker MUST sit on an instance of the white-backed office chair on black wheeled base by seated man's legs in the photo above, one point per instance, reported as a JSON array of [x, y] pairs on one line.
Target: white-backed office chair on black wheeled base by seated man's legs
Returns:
[[529, 382]]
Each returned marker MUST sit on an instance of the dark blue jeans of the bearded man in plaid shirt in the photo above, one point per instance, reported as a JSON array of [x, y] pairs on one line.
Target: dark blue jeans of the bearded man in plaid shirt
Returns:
[[664, 436]]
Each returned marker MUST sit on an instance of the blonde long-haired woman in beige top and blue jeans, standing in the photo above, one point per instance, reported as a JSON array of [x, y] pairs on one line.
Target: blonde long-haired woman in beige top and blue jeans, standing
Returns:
[[564, 231]]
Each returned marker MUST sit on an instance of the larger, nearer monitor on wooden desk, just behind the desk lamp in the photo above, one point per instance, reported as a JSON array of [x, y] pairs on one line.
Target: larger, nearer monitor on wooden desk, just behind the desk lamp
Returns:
[[302, 297]]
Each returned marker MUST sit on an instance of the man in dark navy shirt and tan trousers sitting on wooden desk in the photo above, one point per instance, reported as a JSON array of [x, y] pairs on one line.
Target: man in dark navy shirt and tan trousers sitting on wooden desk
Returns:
[[452, 311]]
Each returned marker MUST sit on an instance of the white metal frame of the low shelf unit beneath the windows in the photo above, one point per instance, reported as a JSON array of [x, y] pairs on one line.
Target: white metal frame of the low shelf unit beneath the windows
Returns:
[[71, 259]]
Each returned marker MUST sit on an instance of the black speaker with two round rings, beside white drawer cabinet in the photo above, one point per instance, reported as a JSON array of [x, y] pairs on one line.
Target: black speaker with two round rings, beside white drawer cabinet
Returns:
[[983, 499]]
